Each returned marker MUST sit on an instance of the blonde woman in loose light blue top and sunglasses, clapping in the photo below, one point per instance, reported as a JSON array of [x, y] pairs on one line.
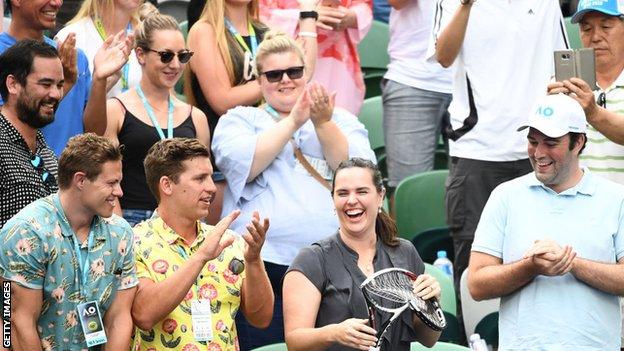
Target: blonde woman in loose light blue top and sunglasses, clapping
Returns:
[[277, 159]]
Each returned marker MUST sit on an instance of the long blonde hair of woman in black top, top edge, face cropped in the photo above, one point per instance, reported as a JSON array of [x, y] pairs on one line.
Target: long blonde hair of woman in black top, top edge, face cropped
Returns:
[[214, 14]]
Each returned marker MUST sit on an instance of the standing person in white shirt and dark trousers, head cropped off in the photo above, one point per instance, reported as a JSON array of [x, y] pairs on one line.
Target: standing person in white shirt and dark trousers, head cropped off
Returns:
[[502, 53]]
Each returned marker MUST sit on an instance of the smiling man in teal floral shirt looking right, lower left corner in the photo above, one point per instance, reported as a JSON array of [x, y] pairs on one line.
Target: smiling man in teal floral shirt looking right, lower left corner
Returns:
[[40, 246]]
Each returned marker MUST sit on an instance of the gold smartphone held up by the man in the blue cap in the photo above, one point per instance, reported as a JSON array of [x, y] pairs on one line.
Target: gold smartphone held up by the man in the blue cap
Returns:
[[580, 63]]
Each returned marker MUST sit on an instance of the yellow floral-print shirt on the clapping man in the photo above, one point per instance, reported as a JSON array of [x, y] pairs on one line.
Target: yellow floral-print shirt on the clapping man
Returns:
[[157, 251]]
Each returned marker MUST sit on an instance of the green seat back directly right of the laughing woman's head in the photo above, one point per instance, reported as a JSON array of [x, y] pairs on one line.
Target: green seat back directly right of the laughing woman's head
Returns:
[[419, 203]]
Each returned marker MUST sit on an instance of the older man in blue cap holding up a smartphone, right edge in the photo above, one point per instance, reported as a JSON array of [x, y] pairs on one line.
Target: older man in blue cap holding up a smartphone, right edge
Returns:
[[601, 26]]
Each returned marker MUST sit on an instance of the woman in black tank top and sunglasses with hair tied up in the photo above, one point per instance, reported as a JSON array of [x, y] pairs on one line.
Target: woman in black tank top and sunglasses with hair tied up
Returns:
[[150, 112]]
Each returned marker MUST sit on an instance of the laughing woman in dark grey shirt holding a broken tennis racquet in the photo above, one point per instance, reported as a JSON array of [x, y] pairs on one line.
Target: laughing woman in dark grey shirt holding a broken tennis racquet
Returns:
[[324, 307]]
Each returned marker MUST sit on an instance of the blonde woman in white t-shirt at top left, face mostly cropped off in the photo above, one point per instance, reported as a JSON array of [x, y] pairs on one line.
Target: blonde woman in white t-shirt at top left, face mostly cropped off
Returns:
[[95, 21]]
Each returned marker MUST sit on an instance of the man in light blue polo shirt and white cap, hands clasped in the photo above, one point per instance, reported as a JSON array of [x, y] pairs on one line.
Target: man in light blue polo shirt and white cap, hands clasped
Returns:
[[551, 243]]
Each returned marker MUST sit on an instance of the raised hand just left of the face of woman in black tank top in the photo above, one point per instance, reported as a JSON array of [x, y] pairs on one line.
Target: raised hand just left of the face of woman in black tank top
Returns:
[[112, 55]]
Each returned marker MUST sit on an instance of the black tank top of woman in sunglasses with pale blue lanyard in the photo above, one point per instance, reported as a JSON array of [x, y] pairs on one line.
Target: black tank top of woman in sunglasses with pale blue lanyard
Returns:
[[137, 137]]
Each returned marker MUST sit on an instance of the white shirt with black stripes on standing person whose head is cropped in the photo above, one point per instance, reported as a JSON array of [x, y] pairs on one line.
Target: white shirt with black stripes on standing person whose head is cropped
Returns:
[[507, 55]]
